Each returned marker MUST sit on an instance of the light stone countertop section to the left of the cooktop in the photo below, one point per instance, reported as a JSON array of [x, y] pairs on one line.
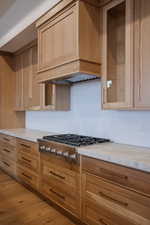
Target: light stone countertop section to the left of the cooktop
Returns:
[[26, 134]]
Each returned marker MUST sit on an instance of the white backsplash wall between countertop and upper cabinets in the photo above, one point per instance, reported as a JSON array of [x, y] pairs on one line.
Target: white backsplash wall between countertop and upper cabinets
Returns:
[[86, 117]]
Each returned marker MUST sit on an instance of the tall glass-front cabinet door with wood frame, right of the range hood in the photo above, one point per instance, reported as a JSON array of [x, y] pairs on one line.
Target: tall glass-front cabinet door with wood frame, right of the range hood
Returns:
[[117, 66]]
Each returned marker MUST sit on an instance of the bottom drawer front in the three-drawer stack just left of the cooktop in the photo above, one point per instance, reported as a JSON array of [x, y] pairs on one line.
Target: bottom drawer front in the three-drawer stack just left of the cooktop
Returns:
[[27, 177]]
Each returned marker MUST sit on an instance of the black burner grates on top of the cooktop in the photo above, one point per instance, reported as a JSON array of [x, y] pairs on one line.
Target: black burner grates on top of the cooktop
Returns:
[[75, 140]]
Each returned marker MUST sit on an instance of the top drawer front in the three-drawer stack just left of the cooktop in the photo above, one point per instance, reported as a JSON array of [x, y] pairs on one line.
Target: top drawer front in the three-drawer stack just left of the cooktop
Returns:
[[27, 147]]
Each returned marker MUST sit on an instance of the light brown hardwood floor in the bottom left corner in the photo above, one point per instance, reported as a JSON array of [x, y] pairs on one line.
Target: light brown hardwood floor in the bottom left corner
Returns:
[[19, 206]]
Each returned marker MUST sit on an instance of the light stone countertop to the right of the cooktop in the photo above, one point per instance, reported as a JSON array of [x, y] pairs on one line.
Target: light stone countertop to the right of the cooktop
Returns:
[[126, 155]]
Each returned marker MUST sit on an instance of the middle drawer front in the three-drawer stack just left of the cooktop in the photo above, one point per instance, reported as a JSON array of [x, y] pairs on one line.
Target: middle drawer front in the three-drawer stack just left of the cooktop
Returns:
[[28, 161]]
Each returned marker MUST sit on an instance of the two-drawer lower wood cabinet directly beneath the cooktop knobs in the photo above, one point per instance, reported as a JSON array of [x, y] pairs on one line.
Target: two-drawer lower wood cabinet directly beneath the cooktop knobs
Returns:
[[60, 182]]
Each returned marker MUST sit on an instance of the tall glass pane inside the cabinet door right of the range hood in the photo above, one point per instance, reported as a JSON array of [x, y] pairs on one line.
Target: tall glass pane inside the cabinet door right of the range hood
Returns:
[[116, 53]]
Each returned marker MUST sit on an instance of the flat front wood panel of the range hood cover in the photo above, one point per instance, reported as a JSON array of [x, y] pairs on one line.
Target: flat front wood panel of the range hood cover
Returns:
[[57, 40]]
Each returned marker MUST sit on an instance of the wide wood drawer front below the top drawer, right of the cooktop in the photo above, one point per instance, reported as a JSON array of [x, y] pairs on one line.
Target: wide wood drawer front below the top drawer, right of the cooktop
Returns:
[[126, 200]]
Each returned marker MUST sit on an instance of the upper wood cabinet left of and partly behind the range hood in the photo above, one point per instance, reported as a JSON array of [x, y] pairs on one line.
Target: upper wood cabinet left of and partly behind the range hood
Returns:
[[30, 95]]
